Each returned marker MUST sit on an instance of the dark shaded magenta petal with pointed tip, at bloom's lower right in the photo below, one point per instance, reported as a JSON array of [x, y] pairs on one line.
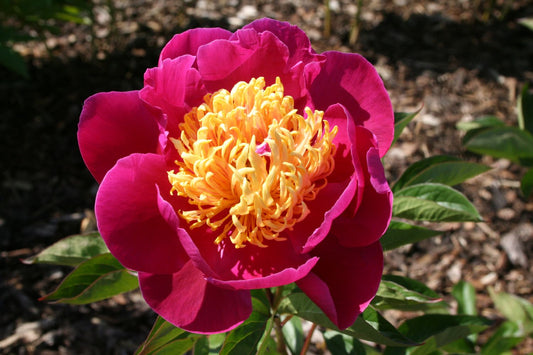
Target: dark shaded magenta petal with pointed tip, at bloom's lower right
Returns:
[[344, 281]]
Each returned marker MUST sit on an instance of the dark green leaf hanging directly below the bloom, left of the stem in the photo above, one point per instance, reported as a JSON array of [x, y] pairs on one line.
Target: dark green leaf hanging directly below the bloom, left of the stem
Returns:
[[245, 338]]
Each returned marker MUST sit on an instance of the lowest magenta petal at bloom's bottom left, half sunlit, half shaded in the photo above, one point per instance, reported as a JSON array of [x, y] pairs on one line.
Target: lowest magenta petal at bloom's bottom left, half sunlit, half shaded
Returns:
[[186, 300]]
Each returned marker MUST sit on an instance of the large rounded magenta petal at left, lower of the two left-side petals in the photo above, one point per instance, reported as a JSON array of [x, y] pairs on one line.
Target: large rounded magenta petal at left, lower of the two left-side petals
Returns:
[[129, 219]]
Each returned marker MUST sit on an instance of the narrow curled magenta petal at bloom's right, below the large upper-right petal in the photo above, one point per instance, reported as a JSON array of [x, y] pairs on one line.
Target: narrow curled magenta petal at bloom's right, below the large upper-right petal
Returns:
[[369, 214]]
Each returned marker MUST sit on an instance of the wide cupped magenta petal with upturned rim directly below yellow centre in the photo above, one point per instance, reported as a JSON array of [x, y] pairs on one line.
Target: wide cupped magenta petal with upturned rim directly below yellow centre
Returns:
[[247, 268]]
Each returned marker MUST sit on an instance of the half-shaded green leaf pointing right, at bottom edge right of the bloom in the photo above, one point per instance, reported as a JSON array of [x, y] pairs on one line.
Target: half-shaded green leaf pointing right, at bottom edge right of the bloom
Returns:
[[438, 330]]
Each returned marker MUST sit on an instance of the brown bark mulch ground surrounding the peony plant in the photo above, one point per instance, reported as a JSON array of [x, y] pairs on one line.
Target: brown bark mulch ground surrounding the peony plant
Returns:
[[456, 60]]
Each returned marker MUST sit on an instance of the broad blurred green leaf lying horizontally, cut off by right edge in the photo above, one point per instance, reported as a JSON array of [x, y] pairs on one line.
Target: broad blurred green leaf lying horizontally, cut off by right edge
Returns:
[[502, 142]]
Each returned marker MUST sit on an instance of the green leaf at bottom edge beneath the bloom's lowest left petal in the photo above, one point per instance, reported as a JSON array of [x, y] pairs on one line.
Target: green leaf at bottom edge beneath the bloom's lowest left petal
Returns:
[[162, 334]]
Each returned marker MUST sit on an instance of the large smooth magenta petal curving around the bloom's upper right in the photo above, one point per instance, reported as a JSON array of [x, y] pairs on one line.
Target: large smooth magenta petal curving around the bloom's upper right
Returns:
[[352, 81]]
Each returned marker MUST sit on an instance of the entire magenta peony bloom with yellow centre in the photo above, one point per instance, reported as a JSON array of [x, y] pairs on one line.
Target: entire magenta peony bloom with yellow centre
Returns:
[[246, 161]]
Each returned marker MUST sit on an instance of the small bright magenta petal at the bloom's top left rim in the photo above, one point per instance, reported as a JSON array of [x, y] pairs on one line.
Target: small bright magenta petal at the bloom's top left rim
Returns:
[[189, 41]]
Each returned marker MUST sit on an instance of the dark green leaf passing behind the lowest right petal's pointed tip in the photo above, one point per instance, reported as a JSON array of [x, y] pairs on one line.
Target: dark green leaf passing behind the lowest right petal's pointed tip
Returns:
[[370, 325]]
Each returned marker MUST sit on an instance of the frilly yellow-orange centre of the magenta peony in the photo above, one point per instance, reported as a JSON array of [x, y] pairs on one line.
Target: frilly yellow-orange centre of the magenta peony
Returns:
[[250, 162]]
